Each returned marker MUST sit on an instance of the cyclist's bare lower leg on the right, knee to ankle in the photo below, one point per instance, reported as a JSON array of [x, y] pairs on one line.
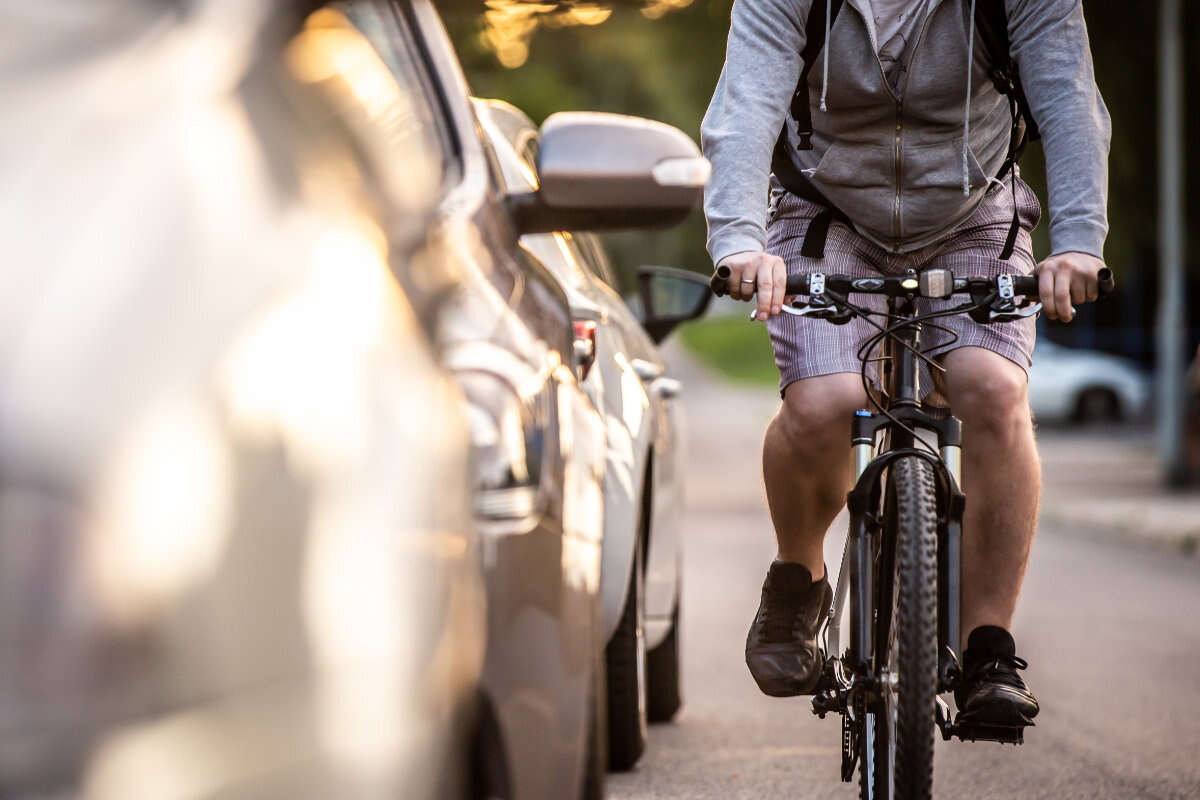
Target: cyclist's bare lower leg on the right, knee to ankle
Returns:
[[1001, 478]]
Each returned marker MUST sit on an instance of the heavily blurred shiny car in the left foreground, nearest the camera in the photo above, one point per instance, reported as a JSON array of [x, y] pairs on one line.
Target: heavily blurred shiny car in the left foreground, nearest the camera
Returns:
[[236, 551]]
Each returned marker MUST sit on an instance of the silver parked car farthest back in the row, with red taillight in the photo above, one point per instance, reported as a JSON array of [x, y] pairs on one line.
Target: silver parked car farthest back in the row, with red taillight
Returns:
[[626, 377]]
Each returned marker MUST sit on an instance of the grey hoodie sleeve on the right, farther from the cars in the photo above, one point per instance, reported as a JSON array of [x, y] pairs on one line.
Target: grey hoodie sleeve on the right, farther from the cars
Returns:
[[1049, 43]]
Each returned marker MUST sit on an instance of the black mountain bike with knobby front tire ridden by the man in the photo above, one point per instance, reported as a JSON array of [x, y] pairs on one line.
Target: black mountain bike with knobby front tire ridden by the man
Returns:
[[905, 543]]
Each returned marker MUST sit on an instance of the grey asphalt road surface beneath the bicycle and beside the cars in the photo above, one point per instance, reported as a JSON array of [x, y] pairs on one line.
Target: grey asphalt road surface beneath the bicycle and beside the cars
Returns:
[[1112, 633]]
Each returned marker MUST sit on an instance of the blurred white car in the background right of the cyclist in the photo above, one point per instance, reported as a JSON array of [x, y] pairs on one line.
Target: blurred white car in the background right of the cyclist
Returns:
[[1075, 386]]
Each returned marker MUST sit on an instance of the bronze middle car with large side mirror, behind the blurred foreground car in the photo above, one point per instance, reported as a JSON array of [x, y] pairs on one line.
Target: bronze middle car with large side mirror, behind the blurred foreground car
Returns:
[[538, 442]]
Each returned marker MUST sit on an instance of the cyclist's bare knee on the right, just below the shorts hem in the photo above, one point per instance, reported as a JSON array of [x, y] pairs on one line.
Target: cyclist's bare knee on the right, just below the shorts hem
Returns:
[[988, 392]]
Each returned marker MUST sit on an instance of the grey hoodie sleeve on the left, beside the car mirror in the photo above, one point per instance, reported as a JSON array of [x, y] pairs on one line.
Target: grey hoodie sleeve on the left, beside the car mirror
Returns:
[[763, 64]]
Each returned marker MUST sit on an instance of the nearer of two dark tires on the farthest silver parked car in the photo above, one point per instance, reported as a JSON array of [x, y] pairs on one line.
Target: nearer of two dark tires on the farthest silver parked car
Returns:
[[626, 665]]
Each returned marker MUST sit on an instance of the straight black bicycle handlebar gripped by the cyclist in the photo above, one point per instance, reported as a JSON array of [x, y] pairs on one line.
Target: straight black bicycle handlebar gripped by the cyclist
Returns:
[[931, 284]]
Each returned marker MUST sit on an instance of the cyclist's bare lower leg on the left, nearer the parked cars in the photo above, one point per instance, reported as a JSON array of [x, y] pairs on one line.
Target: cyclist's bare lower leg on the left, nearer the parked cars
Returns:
[[806, 464]]
